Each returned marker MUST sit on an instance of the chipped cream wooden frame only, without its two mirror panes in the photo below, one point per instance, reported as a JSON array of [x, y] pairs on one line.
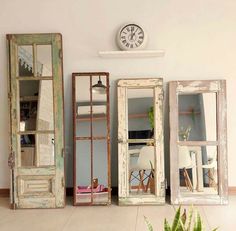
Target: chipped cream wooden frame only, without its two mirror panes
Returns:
[[123, 157]]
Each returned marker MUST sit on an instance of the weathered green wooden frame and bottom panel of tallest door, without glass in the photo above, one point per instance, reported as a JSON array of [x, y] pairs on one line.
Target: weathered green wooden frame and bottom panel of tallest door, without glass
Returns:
[[36, 186]]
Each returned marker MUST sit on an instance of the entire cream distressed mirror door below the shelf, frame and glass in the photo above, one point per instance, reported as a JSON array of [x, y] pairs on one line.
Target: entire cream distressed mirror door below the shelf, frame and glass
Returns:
[[140, 141]]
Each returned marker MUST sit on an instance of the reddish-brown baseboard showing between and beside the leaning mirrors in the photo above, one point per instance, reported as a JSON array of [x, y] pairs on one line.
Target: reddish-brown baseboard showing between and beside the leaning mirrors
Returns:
[[5, 192]]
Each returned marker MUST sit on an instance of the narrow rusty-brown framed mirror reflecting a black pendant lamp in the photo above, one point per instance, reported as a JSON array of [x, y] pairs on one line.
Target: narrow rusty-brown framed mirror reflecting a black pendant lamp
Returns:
[[91, 138]]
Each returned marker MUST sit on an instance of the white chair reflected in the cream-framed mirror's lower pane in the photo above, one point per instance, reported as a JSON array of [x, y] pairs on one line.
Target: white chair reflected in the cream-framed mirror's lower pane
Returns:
[[144, 163]]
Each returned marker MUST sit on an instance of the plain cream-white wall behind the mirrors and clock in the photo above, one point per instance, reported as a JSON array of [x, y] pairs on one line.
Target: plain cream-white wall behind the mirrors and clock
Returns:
[[198, 37]]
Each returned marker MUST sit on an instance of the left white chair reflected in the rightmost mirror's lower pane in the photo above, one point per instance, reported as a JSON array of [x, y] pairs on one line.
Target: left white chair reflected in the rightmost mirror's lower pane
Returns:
[[186, 162]]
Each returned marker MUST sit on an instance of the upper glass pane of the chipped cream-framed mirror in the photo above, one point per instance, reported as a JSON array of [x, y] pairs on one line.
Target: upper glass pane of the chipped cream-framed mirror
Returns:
[[140, 103]]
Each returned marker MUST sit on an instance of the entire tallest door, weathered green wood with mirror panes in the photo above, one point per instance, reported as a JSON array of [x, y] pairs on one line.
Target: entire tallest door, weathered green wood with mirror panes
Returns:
[[37, 120]]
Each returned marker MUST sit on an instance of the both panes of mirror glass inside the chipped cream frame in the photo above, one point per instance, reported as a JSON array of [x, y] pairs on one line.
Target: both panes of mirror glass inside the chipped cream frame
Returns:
[[140, 150]]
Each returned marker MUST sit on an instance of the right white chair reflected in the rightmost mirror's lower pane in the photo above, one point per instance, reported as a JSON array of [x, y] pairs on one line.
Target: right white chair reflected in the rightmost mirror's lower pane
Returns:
[[211, 170]]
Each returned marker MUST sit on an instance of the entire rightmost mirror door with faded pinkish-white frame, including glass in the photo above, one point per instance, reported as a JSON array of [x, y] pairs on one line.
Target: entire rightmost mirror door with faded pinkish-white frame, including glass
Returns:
[[198, 150]]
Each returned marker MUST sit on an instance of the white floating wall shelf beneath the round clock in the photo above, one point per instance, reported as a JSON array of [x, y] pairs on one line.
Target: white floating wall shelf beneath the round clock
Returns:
[[132, 54]]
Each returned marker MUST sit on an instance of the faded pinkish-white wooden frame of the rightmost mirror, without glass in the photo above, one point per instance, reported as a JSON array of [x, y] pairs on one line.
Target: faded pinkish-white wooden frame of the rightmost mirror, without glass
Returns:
[[194, 87]]
